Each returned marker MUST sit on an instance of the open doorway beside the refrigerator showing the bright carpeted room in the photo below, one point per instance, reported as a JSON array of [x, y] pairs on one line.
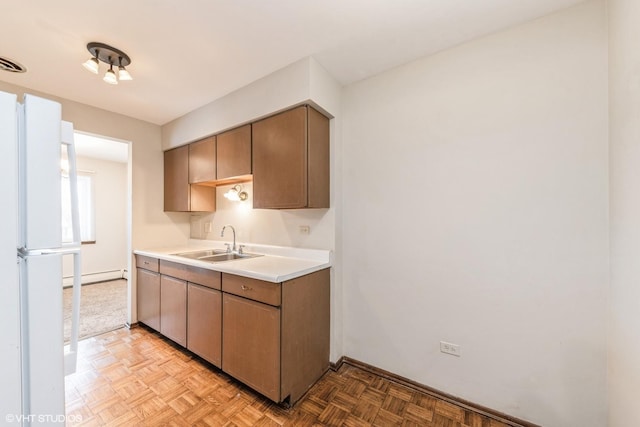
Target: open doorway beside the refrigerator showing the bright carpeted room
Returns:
[[104, 181]]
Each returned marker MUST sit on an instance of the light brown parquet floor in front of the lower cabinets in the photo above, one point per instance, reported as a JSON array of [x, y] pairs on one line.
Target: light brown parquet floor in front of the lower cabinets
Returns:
[[138, 378]]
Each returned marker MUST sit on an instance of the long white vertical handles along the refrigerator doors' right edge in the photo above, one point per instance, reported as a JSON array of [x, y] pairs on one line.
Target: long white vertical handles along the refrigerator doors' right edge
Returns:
[[71, 357]]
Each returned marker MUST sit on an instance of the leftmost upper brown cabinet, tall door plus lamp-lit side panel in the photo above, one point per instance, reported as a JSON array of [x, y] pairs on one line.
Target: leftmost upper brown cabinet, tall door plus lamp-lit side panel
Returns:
[[179, 194]]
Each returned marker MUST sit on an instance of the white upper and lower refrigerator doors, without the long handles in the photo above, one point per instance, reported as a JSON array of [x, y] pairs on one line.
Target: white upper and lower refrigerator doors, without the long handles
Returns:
[[40, 249]]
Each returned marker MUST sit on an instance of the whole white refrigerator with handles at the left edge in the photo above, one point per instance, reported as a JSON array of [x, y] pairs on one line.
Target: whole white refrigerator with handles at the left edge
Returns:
[[33, 357]]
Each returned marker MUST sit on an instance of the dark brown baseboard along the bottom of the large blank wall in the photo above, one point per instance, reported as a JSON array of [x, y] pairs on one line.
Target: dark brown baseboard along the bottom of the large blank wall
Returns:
[[465, 404]]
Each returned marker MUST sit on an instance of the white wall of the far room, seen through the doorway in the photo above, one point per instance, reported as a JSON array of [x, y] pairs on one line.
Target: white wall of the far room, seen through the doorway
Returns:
[[109, 253]]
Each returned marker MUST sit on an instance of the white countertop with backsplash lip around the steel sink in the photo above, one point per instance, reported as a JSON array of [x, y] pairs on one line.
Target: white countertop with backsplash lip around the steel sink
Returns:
[[277, 264]]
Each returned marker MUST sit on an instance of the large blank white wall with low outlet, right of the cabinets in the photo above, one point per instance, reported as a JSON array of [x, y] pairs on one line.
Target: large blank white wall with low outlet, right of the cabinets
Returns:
[[475, 212]]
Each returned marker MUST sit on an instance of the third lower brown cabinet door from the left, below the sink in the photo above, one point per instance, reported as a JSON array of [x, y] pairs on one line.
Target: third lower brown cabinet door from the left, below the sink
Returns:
[[204, 323]]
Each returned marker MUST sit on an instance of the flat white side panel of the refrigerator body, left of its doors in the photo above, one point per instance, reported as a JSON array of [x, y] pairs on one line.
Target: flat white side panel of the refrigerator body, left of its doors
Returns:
[[10, 362]]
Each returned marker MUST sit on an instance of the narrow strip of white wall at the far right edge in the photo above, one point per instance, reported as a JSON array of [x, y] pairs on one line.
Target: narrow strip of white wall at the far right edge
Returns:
[[624, 101]]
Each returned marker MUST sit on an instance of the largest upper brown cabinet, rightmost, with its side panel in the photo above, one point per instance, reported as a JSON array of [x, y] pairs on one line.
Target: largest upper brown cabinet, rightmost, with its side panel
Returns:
[[291, 160]]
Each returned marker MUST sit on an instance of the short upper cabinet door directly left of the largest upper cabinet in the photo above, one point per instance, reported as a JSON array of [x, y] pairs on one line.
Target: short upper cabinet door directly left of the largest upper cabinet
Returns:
[[234, 152]]
